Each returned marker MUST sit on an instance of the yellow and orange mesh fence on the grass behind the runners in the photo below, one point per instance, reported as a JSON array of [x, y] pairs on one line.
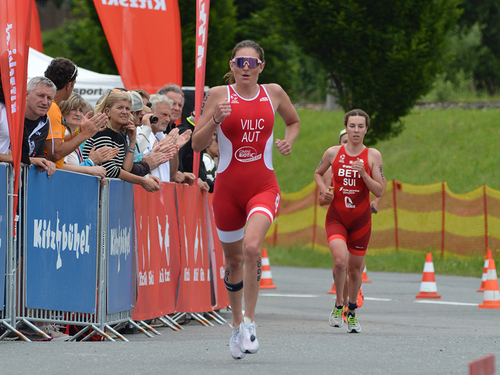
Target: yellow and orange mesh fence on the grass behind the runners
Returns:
[[409, 217]]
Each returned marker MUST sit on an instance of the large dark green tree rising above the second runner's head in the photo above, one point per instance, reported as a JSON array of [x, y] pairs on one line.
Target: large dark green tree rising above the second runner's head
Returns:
[[381, 56]]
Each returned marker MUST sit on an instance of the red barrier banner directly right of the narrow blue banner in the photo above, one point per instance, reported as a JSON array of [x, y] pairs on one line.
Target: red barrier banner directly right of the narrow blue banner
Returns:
[[158, 265]]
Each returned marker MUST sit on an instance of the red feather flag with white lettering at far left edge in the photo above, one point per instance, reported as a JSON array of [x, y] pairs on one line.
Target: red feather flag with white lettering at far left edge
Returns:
[[14, 49]]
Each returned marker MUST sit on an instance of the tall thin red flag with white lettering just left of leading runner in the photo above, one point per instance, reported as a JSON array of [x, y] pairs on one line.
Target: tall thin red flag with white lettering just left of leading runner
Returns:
[[202, 13]]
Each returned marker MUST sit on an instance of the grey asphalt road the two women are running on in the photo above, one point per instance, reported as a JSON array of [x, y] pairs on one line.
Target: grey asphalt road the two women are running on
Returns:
[[400, 335]]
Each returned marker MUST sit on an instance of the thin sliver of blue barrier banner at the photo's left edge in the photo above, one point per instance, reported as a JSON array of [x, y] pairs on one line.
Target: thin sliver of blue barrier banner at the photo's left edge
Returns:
[[3, 231]]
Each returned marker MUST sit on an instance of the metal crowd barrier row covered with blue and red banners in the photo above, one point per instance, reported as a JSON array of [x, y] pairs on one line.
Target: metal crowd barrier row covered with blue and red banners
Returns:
[[103, 256]]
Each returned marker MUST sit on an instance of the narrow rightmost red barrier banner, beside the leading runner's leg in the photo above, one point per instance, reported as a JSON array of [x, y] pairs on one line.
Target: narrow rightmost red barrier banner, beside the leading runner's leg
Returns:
[[218, 260]]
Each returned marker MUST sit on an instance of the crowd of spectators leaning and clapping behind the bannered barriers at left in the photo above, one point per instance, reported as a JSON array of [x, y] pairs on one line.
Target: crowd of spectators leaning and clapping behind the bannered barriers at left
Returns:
[[130, 135]]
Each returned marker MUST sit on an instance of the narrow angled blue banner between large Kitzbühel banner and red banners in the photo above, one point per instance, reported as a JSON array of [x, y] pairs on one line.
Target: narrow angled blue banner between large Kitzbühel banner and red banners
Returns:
[[120, 242]]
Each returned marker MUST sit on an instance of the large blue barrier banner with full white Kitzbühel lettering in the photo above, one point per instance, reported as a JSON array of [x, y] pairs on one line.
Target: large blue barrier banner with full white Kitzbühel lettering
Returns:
[[62, 242]]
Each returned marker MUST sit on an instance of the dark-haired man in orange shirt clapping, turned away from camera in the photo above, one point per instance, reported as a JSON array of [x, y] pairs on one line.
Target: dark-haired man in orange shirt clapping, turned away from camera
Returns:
[[63, 73]]
